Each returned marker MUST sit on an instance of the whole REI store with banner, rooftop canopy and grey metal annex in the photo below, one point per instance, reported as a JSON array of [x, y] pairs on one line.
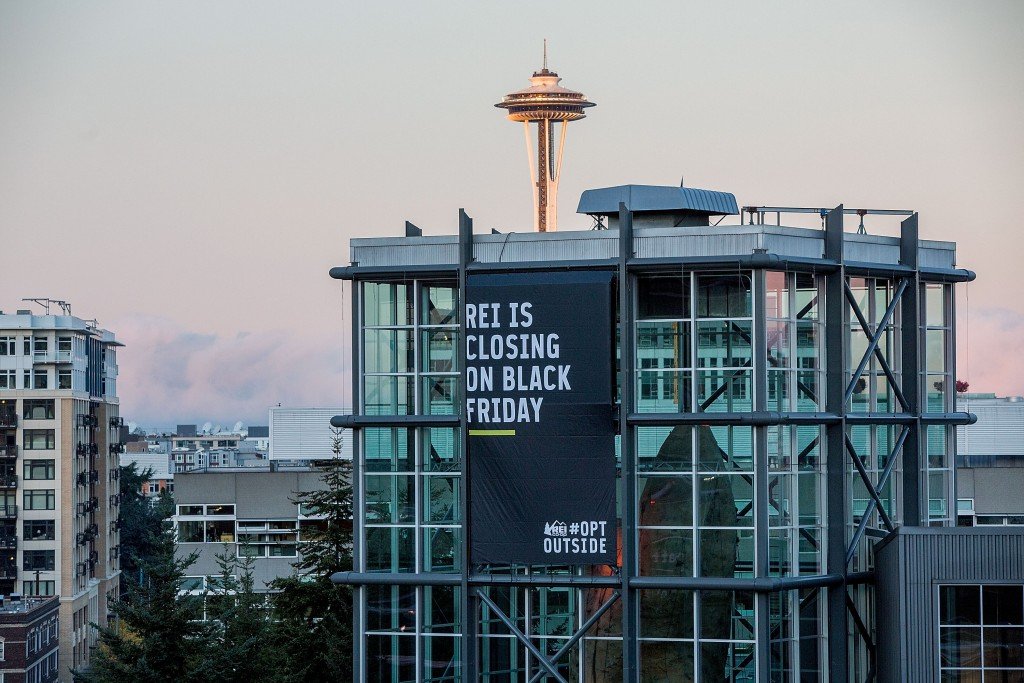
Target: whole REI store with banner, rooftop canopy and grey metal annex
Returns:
[[691, 445]]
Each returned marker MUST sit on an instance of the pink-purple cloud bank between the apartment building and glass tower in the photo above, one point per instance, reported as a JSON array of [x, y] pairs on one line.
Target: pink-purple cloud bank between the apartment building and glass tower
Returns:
[[169, 374]]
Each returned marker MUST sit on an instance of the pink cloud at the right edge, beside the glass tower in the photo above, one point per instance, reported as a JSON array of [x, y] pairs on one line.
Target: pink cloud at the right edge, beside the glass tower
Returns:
[[990, 351]]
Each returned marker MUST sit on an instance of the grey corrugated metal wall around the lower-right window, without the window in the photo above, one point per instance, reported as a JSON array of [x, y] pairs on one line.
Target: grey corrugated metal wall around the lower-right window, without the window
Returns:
[[910, 567]]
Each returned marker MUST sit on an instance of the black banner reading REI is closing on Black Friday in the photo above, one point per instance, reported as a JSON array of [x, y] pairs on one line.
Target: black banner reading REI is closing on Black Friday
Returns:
[[539, 399]]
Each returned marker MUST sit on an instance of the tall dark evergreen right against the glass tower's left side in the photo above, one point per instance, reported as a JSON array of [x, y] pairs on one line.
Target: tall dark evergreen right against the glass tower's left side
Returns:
[[314, 617]]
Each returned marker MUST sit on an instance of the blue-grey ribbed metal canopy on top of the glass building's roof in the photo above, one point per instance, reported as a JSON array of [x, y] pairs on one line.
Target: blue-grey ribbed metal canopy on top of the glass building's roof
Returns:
[[642, 199]]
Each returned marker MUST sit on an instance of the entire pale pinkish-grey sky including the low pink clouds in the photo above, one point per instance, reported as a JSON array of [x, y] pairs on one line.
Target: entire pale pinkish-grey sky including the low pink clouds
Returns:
[[189, 173]]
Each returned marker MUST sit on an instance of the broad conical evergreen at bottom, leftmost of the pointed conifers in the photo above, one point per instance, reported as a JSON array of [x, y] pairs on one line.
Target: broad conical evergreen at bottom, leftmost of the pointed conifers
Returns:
[[158, 634]]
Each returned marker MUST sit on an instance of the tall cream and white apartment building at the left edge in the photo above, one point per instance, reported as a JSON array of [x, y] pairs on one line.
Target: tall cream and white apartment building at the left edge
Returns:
[[60, 446]]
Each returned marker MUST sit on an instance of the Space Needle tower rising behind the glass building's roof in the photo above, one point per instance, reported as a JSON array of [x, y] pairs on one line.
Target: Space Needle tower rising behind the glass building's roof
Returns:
[[545, 103]]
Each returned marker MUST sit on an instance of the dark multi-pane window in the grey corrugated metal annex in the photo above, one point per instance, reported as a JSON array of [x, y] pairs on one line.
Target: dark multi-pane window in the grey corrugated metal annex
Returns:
[[980, 632]]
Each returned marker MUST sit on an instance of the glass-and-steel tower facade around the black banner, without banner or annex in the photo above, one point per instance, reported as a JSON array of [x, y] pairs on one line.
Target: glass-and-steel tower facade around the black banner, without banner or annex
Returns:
[[786, 400]]
